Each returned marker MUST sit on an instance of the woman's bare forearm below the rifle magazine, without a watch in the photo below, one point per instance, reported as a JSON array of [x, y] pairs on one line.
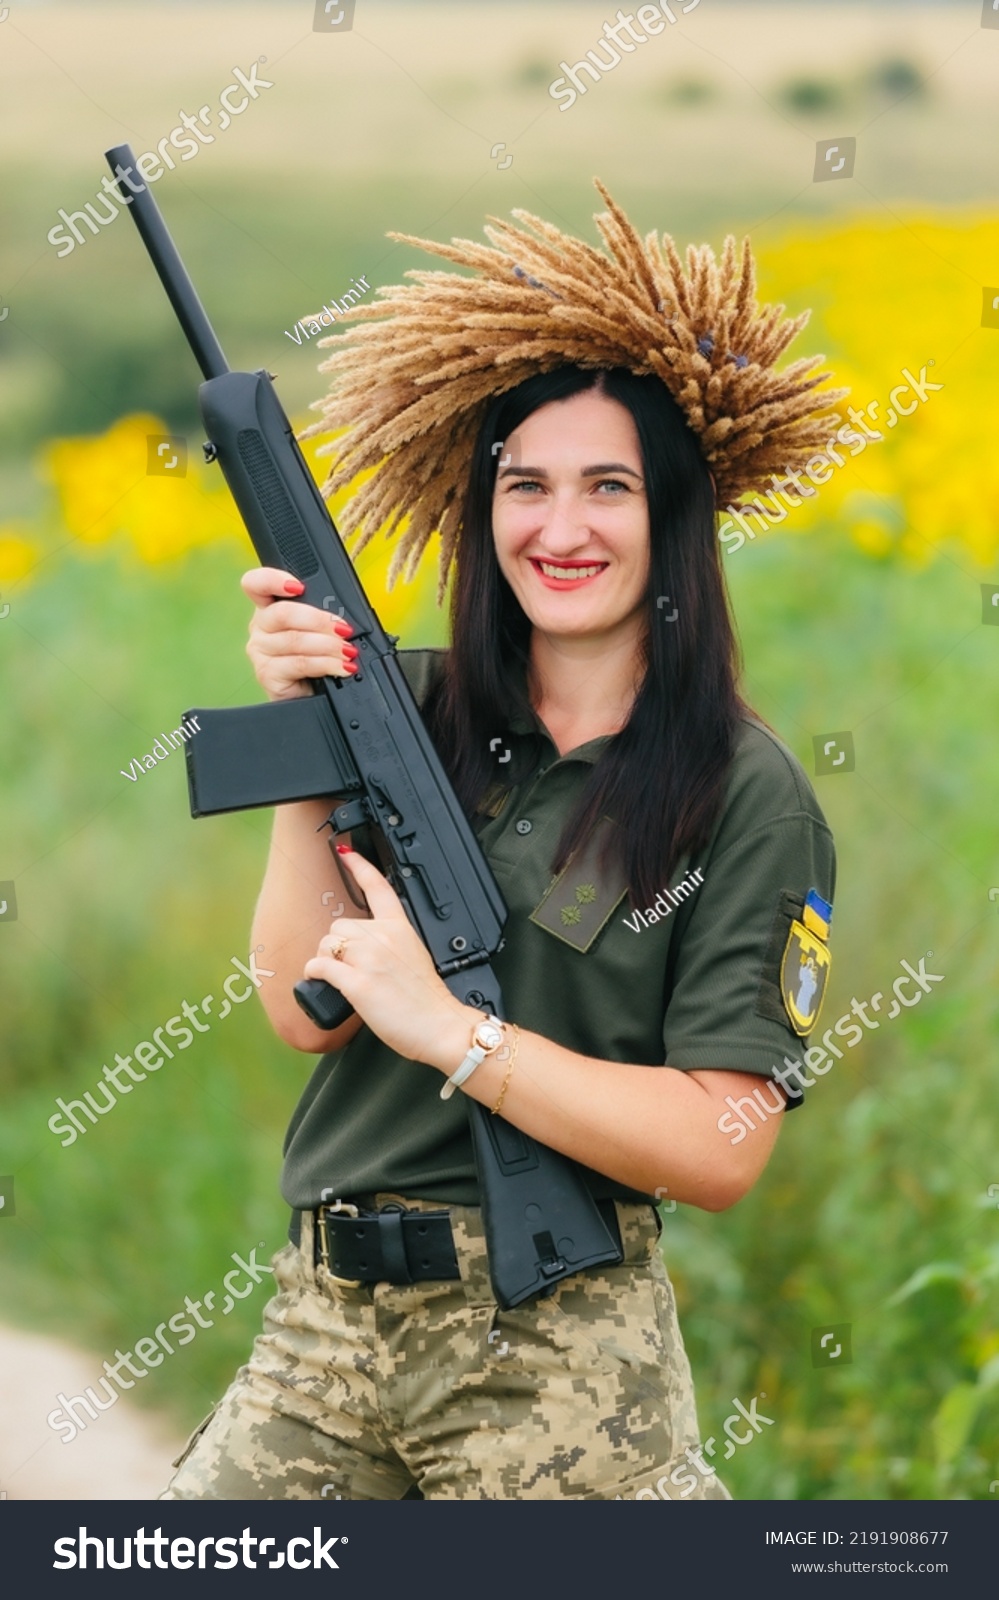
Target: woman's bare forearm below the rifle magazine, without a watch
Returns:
[[292, 918]]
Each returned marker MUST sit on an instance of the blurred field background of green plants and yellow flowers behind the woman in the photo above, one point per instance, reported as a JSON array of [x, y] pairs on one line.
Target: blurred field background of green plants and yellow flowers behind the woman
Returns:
[[865, 617]]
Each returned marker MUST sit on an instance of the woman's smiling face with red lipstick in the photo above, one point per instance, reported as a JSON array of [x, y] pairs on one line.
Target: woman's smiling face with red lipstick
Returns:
[[571, 519]]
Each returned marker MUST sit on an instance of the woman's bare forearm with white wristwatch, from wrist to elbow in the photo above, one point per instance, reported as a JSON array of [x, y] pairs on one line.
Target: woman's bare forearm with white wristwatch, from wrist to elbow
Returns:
[[644, 1127]]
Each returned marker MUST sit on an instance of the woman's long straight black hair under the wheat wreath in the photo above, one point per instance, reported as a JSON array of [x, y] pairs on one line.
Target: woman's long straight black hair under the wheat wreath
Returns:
[[662, 778]]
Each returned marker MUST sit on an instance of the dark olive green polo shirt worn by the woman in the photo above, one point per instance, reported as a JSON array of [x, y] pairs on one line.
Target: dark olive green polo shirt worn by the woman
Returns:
[[694, 983]]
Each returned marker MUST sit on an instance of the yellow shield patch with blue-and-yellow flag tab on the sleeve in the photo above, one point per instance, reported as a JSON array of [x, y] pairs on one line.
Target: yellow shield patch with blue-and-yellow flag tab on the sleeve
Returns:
[[798, 962]]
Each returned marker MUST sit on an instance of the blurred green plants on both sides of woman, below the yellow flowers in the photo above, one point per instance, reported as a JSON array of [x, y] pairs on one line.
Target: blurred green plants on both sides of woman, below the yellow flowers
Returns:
[[872, 1210]]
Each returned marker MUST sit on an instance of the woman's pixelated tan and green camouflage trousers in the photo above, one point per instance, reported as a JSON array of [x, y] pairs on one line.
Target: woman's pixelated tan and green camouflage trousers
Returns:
[[430, 1391]]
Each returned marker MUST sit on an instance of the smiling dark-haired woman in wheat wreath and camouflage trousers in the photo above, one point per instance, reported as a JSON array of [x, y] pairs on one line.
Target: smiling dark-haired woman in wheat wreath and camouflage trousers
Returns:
[[659, 852]]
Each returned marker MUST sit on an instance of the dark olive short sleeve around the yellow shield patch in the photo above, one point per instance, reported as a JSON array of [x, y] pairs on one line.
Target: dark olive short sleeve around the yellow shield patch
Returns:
[[771, 847]]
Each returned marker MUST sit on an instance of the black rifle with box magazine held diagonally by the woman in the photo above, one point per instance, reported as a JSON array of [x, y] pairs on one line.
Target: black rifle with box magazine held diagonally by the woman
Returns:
[[363, 742]]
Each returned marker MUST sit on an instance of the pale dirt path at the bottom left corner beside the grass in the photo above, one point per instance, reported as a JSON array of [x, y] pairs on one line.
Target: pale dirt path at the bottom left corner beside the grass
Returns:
[[124, 1455]]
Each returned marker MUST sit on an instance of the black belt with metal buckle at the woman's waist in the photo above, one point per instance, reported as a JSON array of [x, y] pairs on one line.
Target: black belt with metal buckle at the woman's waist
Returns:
[[391, 1246]]
